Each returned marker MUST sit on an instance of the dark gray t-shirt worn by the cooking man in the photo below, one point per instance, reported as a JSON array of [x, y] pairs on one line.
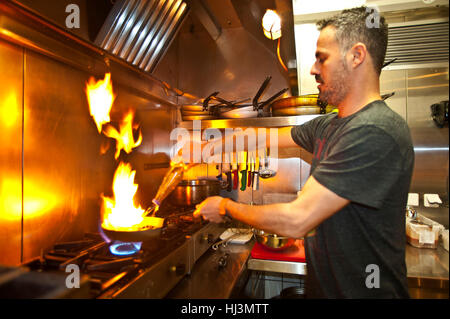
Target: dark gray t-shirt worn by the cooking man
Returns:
[[367, 158]]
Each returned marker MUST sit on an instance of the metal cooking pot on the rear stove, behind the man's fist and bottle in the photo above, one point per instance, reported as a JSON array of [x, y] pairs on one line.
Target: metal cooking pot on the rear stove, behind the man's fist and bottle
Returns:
[[192, 192]]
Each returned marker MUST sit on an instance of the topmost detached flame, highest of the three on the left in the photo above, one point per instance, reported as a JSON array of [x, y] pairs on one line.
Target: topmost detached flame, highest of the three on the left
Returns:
[[100, 97]]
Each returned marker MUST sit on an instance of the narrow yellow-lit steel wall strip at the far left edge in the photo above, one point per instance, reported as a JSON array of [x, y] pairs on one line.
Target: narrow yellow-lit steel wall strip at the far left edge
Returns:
[[11, 66]]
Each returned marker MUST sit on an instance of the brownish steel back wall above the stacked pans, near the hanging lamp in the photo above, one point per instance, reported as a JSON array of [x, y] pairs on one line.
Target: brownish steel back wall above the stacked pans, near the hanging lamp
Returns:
[[235, 65]]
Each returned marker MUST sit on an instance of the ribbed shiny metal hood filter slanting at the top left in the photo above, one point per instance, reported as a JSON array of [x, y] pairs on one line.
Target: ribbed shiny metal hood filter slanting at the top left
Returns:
[[140, 31]]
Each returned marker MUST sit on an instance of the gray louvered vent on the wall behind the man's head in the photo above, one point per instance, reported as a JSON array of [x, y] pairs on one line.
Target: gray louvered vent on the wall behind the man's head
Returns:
[[418, 43]]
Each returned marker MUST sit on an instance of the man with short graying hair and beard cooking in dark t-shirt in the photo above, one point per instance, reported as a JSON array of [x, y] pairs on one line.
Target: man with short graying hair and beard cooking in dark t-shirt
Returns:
[[353, 204]]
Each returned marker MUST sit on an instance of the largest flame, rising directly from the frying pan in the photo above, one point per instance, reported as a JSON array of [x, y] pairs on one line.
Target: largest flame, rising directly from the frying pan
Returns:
[[120, 213]]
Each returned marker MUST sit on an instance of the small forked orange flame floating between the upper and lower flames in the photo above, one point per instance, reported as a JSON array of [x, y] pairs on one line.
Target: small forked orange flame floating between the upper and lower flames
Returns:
[[124, 137]]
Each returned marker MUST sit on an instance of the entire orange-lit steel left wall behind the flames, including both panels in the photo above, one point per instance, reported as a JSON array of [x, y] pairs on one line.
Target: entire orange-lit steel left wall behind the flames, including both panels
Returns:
[[52, 172]]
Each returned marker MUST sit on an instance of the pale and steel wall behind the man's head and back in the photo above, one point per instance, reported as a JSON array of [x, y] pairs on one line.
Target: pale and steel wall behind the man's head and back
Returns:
[[416, 88]]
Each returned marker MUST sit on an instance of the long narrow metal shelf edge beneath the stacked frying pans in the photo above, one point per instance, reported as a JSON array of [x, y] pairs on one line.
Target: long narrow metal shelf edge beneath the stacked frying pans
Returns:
[[279, 121]]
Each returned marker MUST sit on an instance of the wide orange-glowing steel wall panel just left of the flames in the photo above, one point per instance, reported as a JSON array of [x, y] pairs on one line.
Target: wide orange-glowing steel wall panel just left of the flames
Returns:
[[63, 170]]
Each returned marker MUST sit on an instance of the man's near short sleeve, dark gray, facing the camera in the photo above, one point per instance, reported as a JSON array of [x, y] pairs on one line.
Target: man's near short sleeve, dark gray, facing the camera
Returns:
[[362, 166]]
